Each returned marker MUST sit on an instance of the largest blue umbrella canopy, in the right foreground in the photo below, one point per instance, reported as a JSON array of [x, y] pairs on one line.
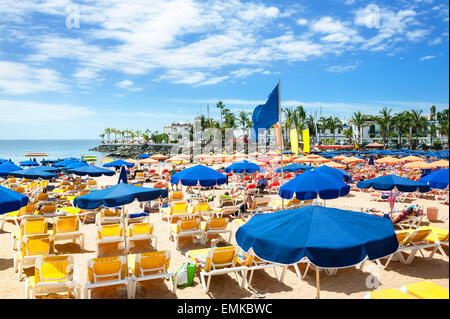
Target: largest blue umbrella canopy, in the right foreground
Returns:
[[327, 237]]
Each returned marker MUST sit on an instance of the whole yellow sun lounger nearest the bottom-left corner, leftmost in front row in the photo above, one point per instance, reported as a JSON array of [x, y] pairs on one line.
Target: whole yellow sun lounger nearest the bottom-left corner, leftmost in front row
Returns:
[[53, 274]]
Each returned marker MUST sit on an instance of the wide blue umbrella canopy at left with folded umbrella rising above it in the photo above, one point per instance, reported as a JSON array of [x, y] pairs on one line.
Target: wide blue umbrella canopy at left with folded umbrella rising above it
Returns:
[[118, 195]]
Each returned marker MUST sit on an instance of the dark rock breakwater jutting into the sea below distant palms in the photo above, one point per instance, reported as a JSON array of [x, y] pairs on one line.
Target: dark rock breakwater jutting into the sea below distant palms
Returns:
[[134, 150]]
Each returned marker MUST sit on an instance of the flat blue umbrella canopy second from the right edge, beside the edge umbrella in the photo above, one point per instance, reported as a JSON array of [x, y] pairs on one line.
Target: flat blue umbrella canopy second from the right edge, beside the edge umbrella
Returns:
[[389, 182]]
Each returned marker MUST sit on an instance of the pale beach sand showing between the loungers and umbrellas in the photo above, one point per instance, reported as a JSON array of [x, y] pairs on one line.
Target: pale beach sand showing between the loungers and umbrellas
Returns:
[[351, 282]]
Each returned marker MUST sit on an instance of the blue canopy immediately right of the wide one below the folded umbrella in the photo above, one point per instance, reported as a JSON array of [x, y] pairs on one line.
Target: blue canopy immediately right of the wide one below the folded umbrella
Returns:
[[199, 174]]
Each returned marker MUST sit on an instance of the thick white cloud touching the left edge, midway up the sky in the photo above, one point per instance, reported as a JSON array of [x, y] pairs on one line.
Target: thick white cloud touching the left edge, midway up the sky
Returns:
[[19, 78]]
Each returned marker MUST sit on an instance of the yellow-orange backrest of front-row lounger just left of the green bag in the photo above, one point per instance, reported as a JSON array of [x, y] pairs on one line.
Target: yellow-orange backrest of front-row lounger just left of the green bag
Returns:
[[152, 262]]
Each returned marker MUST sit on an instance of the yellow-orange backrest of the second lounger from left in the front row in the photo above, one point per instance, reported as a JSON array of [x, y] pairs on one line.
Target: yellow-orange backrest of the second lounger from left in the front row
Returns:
[[107, 269]]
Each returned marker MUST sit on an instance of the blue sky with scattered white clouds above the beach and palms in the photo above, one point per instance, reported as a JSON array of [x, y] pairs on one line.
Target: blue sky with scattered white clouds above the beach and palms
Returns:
[[69, 69]]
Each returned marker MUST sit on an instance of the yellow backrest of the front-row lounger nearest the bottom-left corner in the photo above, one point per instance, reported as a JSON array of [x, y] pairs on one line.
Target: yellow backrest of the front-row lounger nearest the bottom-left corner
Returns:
[[54, 268]]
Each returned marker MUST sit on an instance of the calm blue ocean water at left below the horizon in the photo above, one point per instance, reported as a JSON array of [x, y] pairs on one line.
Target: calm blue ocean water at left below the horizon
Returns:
[[16, 149]]
